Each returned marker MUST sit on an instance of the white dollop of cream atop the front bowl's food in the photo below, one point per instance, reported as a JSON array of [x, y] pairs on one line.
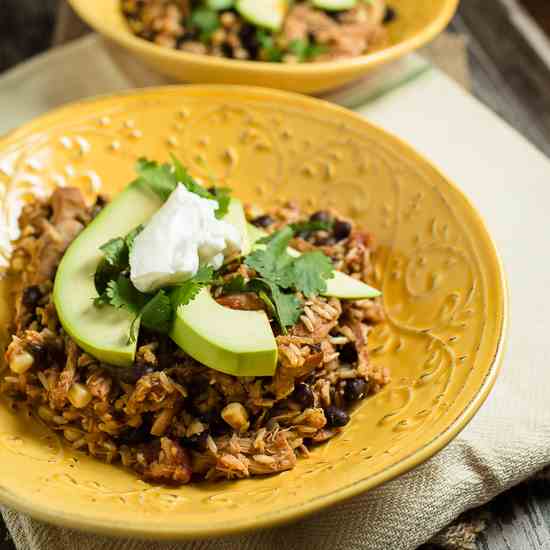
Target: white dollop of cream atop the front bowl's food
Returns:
[[182, 236]]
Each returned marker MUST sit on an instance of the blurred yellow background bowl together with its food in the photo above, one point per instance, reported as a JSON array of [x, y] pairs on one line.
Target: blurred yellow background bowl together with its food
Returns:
[[307, 46]]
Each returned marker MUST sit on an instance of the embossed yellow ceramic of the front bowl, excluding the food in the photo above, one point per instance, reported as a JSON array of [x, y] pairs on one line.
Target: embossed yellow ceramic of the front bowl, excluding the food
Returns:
[[443, 286]]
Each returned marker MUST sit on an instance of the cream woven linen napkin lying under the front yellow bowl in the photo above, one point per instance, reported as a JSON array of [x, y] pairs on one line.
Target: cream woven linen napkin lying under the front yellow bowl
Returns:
[[506, 178]]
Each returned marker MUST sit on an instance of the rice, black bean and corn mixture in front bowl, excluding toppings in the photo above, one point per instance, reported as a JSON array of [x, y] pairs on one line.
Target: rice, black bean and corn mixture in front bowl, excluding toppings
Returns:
[[169, 418]]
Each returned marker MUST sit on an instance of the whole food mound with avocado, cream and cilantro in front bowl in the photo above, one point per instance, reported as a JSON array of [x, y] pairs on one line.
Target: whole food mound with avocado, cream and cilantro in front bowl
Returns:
[[175, 332]]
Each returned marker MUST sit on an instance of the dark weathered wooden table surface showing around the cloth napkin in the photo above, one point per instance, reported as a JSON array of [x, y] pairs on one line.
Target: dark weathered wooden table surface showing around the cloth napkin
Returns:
[[510, 76]]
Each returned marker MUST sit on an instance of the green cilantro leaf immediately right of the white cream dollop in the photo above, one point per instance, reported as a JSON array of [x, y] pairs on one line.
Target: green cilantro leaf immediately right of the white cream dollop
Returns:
[[274, 263]]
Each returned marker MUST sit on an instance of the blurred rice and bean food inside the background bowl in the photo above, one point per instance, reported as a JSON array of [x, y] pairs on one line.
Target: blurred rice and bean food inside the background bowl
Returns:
[[268, 30]]
